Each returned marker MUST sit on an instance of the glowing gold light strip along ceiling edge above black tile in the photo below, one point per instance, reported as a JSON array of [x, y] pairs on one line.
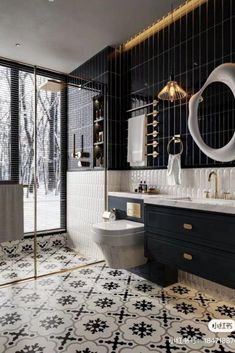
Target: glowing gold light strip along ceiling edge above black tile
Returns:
[[165, 21]]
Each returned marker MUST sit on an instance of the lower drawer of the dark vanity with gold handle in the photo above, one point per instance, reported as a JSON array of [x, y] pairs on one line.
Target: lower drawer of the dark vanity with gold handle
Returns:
[[213, 265]]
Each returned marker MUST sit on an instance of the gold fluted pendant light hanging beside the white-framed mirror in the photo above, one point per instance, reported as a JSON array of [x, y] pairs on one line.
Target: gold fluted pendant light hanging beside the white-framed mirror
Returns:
[[172, 91]]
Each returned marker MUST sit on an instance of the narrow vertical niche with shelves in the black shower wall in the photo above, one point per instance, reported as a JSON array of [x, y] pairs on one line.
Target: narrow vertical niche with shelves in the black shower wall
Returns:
[[98, 132]]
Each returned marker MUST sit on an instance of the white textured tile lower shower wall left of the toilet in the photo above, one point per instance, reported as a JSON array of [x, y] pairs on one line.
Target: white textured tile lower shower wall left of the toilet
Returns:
[[85, 206]]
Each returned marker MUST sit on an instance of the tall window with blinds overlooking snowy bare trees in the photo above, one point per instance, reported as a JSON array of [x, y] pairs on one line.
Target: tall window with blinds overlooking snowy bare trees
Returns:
[[17, 144]]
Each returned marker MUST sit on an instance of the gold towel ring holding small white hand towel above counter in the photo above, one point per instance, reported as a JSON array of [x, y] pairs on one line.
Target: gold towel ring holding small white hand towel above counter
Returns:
[[174, 162]]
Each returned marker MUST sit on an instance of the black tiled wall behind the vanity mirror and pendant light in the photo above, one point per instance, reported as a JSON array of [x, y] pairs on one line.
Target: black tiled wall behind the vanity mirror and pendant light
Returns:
[[192, 47]]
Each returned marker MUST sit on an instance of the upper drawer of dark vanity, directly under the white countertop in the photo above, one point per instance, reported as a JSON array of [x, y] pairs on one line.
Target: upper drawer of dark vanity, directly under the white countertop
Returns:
[[205, 228]]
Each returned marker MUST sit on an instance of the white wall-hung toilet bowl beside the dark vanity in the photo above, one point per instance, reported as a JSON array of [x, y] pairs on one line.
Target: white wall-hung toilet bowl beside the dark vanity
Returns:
[[122, 243]]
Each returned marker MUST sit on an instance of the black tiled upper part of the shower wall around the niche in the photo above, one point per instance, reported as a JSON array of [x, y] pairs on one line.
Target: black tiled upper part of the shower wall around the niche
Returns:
[[104, 70]]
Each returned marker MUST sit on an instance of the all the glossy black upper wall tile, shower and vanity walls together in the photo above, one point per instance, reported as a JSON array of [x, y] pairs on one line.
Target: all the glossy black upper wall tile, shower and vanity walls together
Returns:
[[191, 47]]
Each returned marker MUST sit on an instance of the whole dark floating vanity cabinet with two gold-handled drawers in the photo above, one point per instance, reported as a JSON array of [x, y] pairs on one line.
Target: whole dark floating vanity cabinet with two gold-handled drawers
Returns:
[[198, 242]]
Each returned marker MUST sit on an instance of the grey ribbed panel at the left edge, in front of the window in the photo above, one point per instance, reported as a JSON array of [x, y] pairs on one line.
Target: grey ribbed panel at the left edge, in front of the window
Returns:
[[11, 212]]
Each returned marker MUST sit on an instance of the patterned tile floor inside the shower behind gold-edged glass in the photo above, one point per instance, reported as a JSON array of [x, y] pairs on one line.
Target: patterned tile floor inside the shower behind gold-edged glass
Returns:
[[17, 257]]
